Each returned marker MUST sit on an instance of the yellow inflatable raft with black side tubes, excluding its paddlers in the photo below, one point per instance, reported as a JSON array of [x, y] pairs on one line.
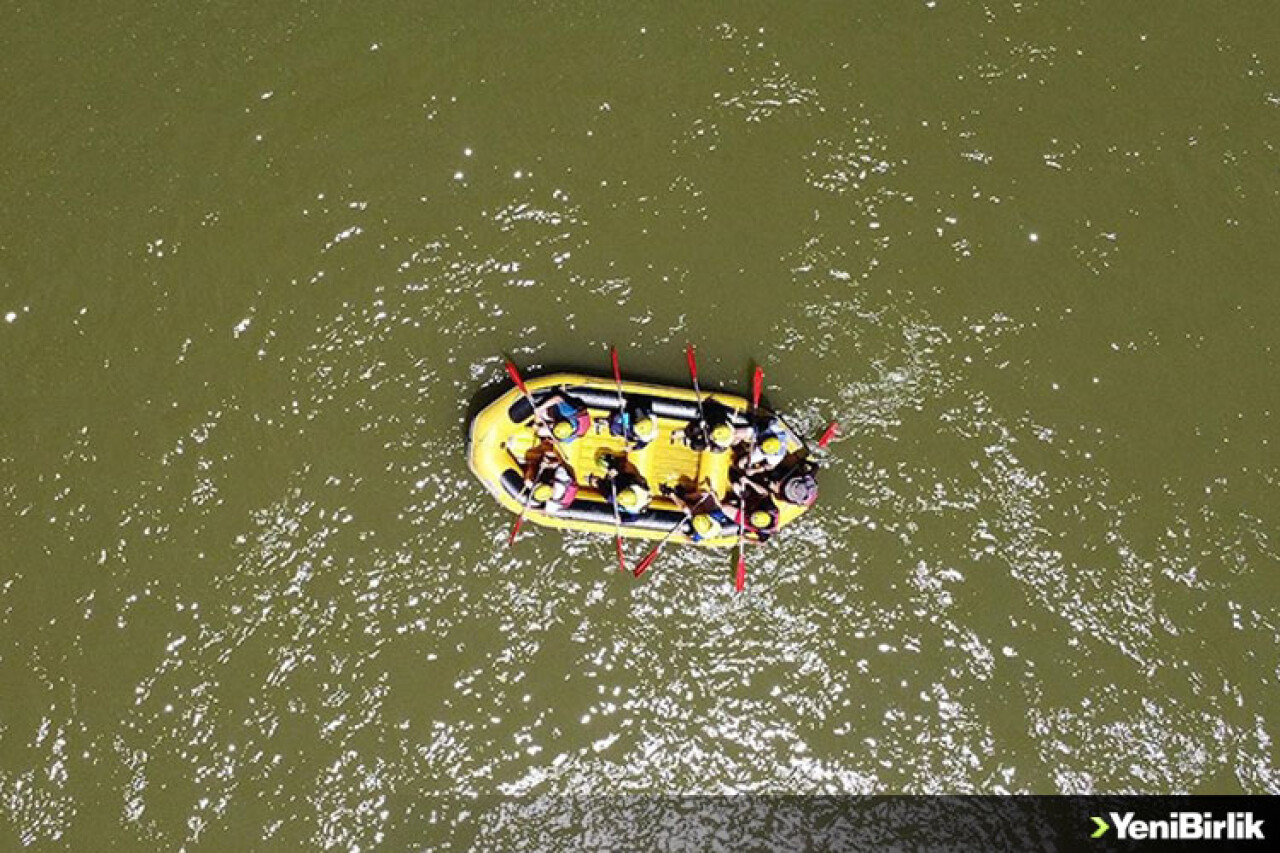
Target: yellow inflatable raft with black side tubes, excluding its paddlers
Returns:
[[502, 439]]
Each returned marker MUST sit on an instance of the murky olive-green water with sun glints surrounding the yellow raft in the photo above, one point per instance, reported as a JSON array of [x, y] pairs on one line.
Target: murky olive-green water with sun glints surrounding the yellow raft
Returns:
[[255, 264]]
